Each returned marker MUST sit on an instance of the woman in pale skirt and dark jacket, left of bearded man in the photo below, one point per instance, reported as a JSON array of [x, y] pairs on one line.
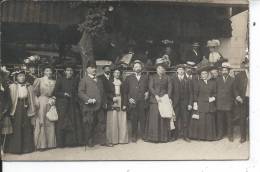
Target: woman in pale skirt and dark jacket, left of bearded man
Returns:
[[117, 130]]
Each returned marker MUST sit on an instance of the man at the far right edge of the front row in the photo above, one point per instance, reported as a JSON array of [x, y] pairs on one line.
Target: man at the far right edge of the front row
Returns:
[[242, 98]]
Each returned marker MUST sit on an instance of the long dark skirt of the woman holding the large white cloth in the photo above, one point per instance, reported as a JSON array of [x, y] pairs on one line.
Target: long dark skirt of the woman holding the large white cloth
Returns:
[[157, 128]]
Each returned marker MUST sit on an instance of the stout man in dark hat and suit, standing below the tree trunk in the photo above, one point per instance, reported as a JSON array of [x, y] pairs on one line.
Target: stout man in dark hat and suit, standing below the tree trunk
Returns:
[[93, 104]]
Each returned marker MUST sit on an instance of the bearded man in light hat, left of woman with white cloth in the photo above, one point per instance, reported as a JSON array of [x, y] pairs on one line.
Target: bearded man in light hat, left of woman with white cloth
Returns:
[[135, 97]]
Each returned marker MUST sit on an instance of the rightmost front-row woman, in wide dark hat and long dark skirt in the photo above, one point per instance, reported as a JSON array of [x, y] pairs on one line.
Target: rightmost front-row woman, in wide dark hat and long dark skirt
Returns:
[[202, 126]]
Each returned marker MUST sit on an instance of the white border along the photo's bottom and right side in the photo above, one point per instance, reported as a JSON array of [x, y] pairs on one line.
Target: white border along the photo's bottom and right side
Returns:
[[251, 165]]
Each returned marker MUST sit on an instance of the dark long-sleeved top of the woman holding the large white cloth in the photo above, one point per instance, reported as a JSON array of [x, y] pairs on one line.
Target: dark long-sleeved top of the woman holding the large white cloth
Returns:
[[159, 86]]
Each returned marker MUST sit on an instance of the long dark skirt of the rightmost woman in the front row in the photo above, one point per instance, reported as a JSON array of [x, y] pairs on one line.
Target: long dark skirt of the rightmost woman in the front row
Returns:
[[203, 128]]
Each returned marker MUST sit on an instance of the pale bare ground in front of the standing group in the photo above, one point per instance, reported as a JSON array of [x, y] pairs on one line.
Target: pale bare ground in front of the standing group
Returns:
[[177, 150]]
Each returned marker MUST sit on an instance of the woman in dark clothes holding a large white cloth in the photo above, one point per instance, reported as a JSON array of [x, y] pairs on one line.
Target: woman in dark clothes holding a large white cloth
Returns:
[[158, 128]]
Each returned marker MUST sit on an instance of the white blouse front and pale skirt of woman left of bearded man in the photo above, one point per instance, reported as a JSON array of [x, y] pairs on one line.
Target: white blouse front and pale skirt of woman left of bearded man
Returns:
[[117, 130]]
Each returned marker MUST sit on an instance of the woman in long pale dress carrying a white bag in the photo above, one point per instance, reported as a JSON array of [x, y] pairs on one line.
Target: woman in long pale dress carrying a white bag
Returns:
[[44, 132]]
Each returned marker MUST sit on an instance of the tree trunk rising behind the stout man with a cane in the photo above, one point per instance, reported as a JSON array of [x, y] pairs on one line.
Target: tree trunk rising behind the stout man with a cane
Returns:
[[86, 49]]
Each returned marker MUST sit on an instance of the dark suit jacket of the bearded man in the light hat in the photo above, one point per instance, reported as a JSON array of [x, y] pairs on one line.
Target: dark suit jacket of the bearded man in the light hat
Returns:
[[135, 89]]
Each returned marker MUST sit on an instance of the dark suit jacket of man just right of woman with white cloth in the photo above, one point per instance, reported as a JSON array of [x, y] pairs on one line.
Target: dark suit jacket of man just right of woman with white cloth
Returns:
[[176, 93]]
